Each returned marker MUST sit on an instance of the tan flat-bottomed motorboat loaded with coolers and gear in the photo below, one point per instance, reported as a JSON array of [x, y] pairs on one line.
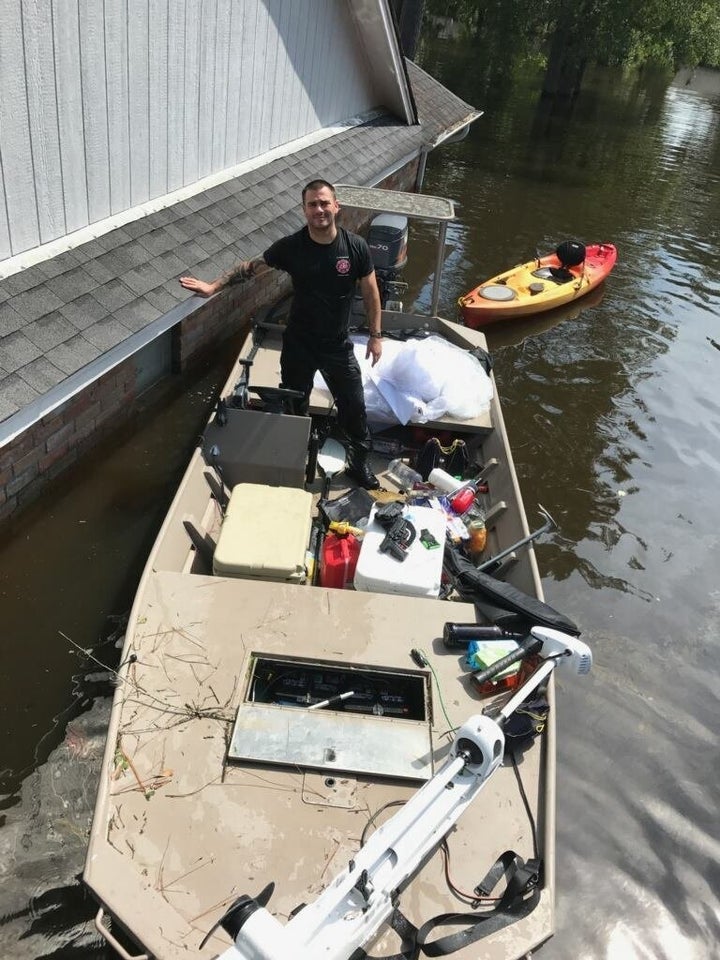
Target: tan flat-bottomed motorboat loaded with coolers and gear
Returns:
[[298, 770]]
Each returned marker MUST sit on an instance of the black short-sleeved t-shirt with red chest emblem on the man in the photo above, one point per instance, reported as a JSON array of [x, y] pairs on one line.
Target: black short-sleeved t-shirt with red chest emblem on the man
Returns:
[[324, 276]]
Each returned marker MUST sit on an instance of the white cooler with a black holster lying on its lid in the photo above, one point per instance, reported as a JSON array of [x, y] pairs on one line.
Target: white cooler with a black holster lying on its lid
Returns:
[[419, 574]]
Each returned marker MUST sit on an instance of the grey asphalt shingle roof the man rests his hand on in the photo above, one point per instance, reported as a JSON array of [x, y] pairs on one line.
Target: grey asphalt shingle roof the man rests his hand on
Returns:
[[58, 316]]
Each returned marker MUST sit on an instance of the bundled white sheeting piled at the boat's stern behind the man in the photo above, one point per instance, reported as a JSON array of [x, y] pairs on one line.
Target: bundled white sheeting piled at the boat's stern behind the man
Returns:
[[420, 380]]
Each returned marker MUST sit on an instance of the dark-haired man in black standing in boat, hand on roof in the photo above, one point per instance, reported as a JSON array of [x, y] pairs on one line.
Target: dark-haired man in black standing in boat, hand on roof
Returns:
[[324, 262]]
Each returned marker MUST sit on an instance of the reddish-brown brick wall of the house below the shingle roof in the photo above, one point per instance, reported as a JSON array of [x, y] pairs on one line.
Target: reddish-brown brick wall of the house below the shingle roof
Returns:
[[34, 459]]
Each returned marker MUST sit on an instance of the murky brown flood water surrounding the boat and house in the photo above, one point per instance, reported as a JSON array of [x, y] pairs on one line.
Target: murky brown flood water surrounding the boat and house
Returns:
[[613, 413]]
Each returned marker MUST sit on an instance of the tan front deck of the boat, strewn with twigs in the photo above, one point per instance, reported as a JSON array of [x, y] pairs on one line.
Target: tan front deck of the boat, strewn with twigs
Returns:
[[188, 831]]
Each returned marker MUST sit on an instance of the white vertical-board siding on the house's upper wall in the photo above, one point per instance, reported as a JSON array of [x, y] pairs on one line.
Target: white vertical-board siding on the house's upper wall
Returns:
[[107, 105]]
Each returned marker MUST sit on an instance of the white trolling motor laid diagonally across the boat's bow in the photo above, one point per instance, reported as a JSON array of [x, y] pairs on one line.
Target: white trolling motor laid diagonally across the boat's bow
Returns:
[[351, 909]]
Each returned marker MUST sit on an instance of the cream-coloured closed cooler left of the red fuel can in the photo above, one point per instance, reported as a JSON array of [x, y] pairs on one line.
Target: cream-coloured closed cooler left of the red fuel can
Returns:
[[265, 533]]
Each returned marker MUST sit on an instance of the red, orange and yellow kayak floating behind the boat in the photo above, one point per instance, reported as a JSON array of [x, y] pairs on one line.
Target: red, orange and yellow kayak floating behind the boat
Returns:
[[540, 284]]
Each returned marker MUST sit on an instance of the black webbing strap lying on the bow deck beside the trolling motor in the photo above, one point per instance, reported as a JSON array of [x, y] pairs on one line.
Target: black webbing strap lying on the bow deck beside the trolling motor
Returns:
[[521, 894]]
